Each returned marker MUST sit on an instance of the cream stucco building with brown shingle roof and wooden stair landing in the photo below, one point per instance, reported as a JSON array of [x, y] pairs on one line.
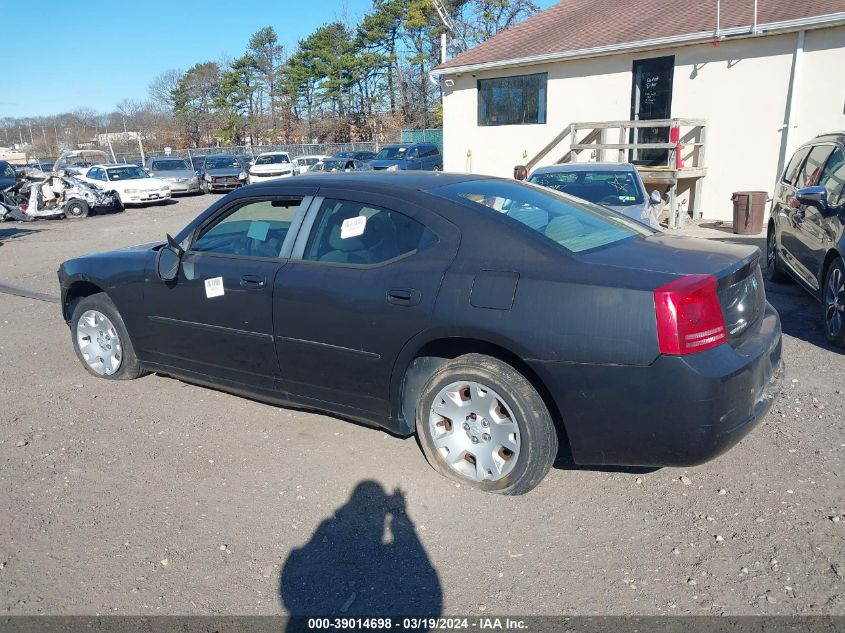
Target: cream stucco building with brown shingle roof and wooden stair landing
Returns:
[[764, 81]]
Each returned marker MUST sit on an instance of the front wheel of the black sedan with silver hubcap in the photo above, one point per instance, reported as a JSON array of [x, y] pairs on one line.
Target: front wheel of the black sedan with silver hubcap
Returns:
[[101, 341]]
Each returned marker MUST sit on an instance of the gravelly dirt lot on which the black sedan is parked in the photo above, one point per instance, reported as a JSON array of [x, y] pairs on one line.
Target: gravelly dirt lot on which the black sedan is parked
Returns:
[[158, 497]]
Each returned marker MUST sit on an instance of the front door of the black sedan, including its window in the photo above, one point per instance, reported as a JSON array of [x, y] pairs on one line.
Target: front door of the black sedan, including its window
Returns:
[[216, 317]]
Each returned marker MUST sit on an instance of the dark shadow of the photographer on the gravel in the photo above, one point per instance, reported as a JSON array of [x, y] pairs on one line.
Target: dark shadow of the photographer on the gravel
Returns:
[[365, 561]]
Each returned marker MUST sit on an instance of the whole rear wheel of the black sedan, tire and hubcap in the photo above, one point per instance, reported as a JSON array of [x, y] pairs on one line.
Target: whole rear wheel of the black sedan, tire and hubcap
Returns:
[[480, 422]]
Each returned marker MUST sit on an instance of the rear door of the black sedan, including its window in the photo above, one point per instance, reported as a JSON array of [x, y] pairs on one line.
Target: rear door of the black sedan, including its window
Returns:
[[361, 282]]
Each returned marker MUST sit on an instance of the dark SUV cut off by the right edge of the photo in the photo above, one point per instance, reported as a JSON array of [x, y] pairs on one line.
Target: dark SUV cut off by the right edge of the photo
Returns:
[[805, 237]]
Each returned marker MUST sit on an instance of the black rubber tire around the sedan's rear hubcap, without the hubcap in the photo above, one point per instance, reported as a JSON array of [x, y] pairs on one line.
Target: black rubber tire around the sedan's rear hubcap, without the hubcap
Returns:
[[537, 439]]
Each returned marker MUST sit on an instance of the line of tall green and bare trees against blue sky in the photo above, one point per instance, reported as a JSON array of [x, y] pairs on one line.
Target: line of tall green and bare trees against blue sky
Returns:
[[344, 82]]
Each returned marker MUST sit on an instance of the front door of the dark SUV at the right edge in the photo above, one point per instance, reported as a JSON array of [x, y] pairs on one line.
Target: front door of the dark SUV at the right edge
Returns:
[[807, 220]]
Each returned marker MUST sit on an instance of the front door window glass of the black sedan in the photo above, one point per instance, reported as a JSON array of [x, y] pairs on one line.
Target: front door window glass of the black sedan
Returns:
[[253, 229]]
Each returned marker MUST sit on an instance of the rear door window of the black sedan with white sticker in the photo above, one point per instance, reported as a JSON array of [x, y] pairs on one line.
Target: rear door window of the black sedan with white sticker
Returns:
[[355, 233]]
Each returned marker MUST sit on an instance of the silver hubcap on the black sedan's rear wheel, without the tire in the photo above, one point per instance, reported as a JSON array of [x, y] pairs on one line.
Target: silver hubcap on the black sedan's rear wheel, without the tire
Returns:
[[474, 431]]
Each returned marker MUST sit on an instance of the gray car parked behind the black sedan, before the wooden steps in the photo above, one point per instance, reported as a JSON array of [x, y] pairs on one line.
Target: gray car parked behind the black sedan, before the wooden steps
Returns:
[[617, 186]]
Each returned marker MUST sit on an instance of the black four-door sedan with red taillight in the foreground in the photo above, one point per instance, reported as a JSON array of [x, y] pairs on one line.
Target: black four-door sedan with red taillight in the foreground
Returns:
[[487, 316]]
